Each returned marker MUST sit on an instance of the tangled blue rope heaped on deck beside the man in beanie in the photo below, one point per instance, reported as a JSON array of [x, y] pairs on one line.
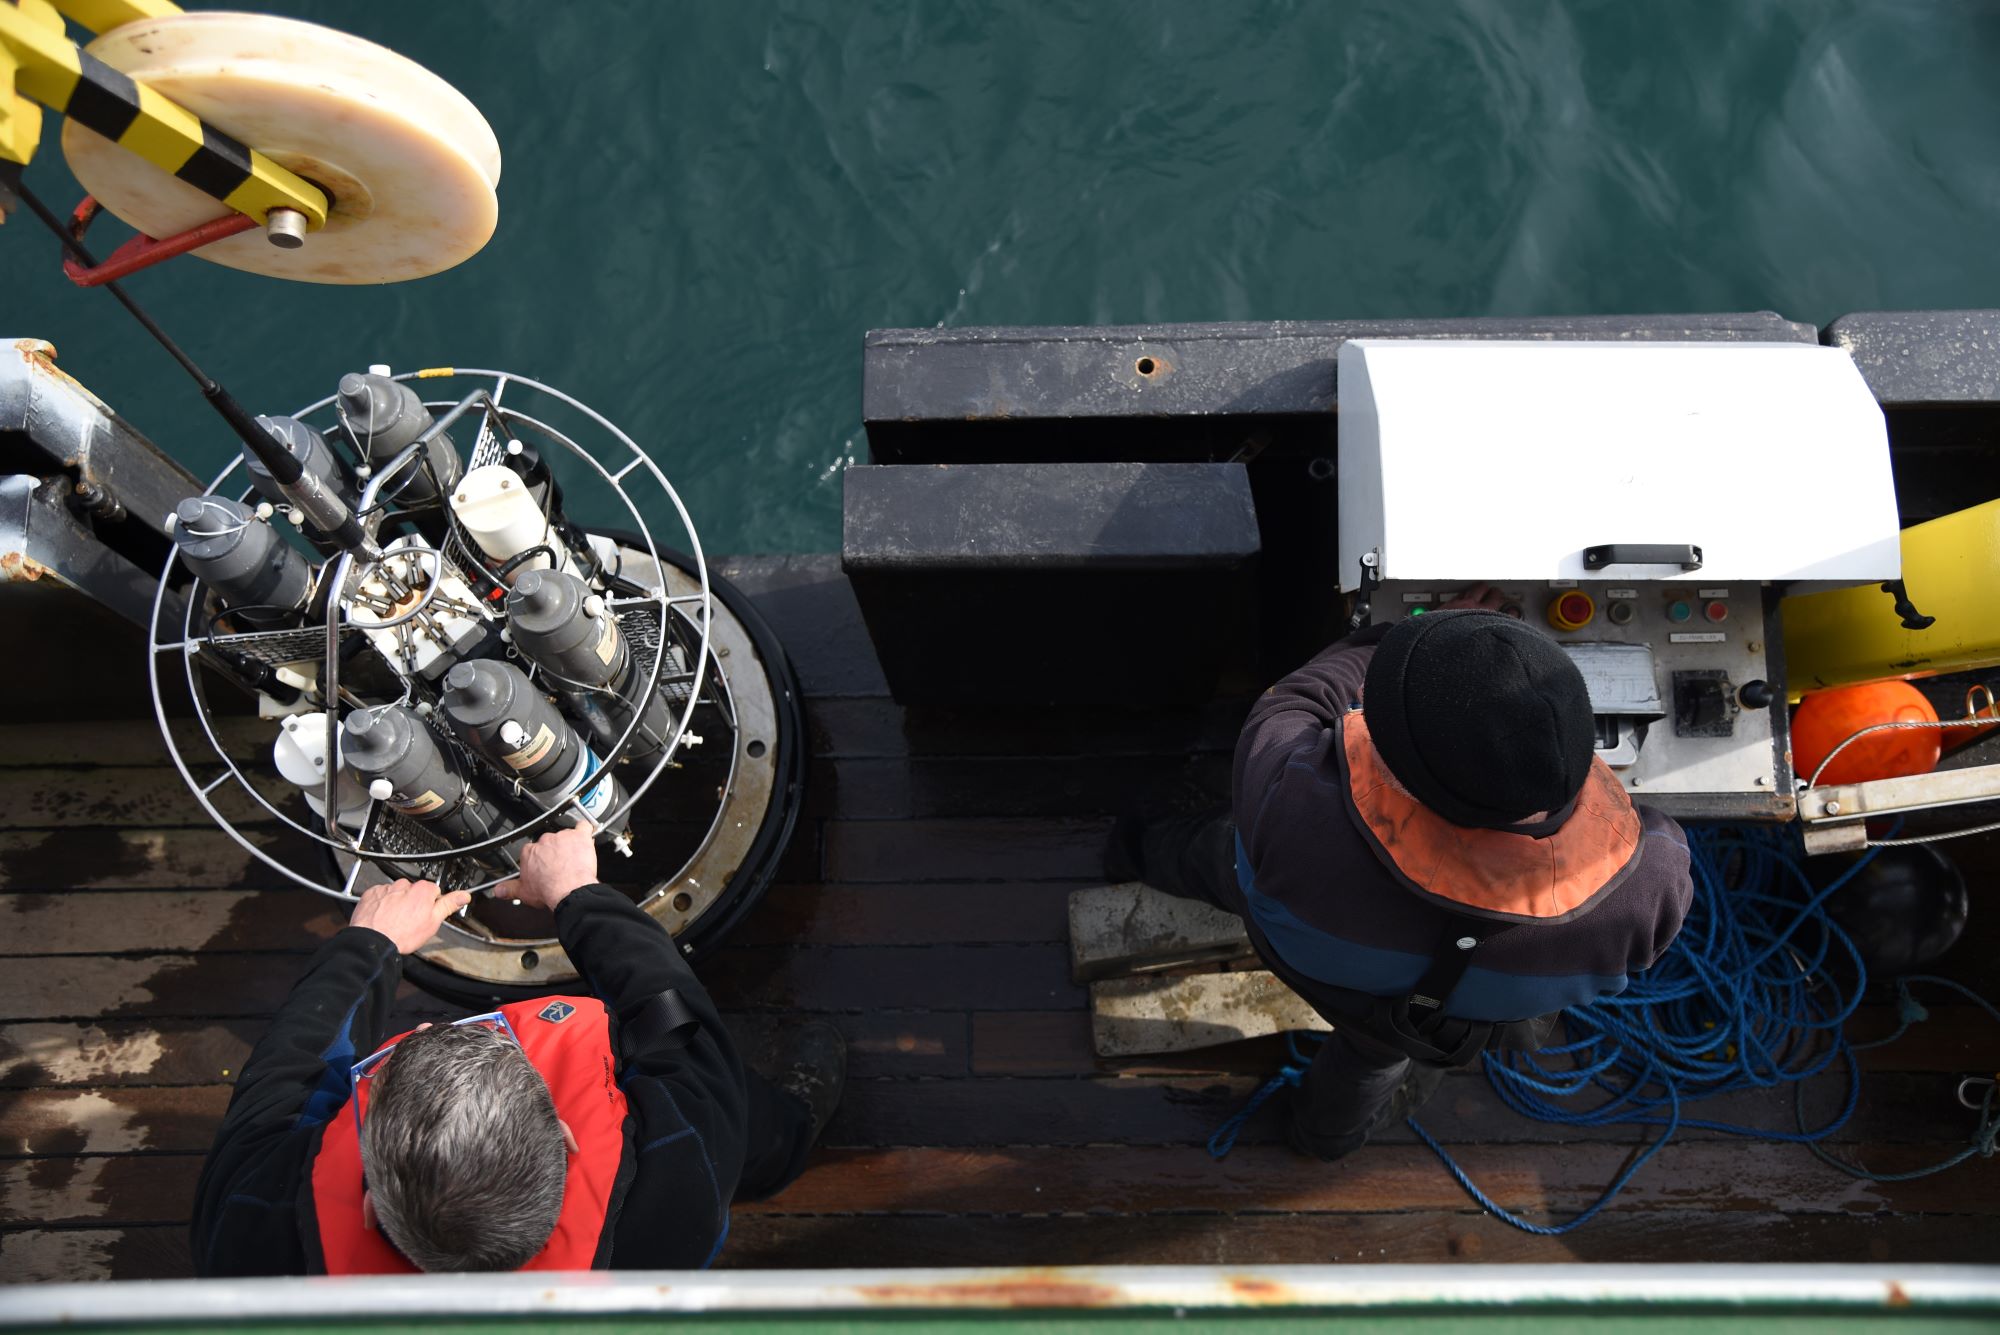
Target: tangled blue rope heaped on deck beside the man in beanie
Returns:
[[1753, 994]]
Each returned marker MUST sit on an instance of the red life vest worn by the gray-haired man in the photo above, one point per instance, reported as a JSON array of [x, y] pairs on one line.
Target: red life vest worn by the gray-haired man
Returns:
[[569, 1042]]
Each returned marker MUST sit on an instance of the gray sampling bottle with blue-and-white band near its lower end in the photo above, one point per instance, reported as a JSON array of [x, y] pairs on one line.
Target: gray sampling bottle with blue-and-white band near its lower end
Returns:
[[505, 718]]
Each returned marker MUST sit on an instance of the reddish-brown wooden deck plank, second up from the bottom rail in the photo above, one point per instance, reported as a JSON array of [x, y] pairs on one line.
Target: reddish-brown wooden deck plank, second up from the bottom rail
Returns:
[[139, 1190]]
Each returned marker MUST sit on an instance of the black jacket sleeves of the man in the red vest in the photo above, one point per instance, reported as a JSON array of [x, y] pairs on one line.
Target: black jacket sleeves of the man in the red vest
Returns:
[[691, 1104]]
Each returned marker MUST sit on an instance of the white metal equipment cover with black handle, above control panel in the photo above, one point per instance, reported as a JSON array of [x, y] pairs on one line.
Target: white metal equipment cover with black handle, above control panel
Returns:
[[1503, 461]]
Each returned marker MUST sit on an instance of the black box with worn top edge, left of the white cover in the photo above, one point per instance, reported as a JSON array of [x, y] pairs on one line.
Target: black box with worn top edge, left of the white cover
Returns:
[[1053, 585]]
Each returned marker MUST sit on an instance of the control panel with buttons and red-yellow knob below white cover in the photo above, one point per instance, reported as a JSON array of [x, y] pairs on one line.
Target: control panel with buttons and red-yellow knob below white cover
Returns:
[[1679, 678]]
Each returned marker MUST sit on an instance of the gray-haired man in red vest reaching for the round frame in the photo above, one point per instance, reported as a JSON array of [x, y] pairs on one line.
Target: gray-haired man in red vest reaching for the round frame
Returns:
[[587, 1132]]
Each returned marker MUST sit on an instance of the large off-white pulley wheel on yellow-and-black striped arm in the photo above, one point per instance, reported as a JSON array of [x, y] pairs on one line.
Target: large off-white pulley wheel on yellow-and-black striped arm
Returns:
[[409, 163]]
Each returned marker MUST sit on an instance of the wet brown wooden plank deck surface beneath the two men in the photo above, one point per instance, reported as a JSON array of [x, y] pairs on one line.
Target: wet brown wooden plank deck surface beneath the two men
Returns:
[[923, 910]]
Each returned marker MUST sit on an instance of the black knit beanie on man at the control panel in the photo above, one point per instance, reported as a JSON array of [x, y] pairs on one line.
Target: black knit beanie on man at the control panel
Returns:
[[1485, 720]]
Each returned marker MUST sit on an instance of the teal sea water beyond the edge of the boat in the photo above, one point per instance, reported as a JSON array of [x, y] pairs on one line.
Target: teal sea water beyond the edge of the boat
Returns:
[[705, 205]]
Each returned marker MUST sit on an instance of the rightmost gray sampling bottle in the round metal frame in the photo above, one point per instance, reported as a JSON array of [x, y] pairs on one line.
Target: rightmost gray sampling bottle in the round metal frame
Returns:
[[573, 637]]
